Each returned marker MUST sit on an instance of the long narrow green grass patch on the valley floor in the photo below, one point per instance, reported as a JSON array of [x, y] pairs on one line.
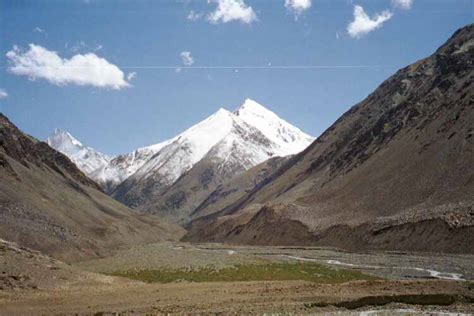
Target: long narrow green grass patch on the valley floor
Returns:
[[248, 272]]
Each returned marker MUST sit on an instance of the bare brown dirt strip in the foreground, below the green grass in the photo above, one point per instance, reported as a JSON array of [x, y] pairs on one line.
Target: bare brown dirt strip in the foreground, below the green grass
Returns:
[[229, 297]]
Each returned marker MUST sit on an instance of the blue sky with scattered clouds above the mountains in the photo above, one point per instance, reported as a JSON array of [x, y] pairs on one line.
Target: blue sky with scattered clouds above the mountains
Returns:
[[301, 63]]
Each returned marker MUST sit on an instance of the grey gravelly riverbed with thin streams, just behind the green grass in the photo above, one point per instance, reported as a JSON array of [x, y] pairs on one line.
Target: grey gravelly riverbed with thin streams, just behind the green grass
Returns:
[[392, 265]]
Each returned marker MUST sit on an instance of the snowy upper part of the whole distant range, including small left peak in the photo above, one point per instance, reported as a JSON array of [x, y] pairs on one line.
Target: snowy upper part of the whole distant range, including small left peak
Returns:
[[242, 138]]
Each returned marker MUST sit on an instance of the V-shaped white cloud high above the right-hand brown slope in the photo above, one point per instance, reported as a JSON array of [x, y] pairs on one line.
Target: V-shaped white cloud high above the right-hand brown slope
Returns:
[[363, 24]]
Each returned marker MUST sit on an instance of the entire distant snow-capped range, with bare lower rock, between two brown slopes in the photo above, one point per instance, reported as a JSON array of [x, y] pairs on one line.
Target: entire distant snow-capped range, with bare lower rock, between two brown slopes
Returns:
[[202, 157]]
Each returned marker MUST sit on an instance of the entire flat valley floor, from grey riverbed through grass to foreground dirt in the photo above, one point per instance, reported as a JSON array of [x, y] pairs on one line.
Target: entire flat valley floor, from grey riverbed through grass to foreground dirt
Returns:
[[404, 283]]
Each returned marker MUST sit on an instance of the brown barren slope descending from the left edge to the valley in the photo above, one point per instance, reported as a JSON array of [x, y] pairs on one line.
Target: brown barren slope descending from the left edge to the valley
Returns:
[[48, 204]]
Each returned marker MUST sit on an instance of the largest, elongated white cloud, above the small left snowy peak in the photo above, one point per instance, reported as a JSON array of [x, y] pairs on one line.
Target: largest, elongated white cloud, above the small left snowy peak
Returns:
[[87, 69]]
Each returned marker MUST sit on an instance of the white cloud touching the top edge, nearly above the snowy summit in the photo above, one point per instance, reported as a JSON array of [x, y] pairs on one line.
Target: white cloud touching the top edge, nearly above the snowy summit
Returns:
[[231, 10]]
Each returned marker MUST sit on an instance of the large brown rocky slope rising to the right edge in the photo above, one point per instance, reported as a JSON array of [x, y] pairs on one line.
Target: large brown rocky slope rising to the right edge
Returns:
[[394, 172]]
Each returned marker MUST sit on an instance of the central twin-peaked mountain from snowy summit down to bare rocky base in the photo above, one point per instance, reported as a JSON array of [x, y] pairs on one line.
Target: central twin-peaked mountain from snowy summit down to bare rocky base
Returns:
[[180, 176]]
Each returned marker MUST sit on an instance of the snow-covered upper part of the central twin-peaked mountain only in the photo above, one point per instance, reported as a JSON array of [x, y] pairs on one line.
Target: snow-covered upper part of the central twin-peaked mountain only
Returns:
[[252, 124]]
